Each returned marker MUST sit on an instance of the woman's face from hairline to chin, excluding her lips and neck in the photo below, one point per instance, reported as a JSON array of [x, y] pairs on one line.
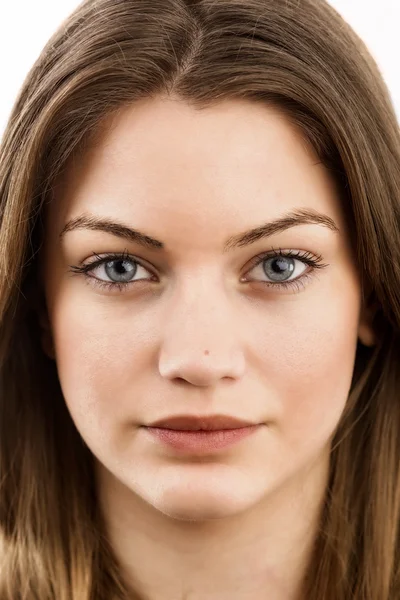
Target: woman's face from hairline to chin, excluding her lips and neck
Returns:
[[194, 325]]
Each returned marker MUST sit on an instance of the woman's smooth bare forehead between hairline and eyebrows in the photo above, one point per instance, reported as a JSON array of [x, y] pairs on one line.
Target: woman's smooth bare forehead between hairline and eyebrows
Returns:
[[164, 159]]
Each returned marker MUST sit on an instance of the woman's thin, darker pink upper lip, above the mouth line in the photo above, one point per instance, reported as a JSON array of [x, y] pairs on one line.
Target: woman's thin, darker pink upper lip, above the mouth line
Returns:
[[205, 423]]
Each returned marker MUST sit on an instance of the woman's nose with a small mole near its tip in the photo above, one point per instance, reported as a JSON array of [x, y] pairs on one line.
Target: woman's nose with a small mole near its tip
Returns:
[[201, 341]]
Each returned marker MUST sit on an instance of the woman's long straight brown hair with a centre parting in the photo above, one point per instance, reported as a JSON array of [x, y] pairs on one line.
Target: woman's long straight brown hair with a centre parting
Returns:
[[302, 57]]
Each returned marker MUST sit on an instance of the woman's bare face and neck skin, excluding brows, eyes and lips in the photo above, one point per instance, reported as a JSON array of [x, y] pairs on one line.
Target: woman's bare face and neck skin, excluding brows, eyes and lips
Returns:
[[190, 337]]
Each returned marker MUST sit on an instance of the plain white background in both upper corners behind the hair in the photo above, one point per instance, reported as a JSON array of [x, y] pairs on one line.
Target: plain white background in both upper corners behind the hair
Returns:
[[26, 25]]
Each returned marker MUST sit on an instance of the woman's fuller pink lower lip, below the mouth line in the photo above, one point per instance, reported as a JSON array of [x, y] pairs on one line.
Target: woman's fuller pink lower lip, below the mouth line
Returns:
[[201, 441]]
